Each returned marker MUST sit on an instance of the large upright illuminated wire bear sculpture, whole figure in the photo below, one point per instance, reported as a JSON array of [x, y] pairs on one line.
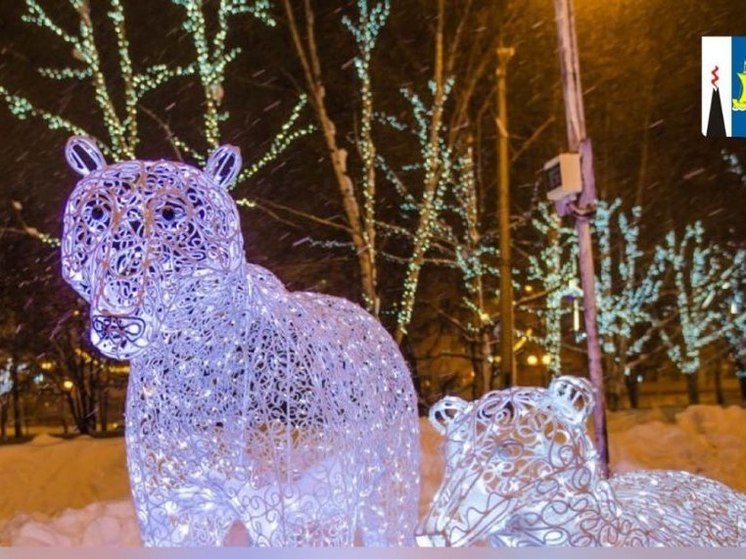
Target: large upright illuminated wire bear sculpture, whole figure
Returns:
[[290, 414]]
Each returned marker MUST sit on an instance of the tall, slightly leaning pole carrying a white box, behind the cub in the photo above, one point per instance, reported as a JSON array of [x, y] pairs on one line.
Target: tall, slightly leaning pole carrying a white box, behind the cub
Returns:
[[583, 210]]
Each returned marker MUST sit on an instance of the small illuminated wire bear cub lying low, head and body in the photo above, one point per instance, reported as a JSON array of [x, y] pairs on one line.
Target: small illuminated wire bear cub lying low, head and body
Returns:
[[521, 470]]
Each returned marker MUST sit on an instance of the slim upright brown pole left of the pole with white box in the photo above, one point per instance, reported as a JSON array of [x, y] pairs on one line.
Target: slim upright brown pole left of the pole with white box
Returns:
[[507, 364]]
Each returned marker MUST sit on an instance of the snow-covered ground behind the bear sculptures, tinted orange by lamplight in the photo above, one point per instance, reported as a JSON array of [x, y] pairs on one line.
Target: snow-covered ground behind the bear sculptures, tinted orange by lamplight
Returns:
[[76, 492]]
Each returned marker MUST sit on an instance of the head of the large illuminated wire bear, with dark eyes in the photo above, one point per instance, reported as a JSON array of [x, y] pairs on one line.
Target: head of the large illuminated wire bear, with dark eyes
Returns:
[[145, 241]]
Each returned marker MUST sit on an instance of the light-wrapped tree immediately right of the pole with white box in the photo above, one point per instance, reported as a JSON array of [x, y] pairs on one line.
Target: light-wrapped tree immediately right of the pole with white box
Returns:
[[626, 295]]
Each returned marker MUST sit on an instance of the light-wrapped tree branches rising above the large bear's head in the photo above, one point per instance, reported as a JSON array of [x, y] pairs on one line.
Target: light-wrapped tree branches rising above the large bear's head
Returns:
[[121, 107]]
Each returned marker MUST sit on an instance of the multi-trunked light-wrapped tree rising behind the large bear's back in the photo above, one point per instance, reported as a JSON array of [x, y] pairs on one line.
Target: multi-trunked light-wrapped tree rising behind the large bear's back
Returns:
[[421, 182]]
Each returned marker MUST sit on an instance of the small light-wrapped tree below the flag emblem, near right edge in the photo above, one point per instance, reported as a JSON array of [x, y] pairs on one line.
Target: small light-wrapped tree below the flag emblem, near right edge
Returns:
[[698, 271]]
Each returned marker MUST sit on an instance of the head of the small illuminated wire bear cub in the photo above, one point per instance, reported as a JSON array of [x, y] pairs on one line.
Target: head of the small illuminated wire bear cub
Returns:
[[501, 452]]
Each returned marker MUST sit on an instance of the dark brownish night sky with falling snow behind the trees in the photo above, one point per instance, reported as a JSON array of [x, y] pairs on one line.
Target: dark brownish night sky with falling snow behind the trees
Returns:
[[640, 63]]
